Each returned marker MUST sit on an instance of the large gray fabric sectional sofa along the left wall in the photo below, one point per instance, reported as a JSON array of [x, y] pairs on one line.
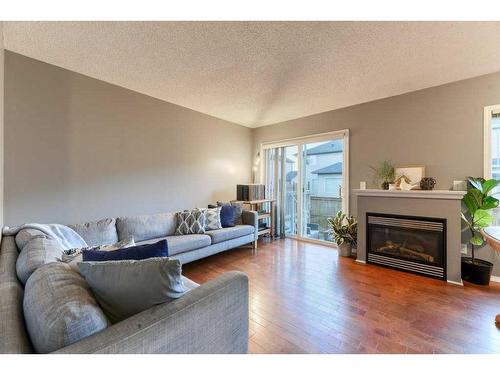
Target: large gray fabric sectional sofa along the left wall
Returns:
[[209, 318]]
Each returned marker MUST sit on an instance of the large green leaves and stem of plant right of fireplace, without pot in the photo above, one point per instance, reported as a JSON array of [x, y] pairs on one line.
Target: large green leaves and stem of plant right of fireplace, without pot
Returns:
[[478, 202]]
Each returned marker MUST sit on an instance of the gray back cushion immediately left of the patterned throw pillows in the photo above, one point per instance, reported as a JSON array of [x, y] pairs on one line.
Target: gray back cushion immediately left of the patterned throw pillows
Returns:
[[146, 227]]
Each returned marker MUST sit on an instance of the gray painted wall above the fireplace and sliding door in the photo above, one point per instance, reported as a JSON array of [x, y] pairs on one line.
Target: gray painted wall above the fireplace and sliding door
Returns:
[[439, 127]]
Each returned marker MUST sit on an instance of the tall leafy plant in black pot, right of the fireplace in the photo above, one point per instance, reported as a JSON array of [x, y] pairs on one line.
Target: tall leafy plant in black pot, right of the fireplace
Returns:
[[478, 202]]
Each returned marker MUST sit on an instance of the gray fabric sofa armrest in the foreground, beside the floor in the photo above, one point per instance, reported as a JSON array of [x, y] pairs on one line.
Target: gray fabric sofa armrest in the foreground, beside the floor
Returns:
[[212, 318]]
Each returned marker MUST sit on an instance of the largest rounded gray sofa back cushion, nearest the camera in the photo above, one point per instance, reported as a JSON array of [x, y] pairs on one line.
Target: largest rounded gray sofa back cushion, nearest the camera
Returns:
[[59, 308]]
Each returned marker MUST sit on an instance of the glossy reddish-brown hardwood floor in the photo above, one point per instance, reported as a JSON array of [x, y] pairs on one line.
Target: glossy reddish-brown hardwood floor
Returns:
[[304, 298]]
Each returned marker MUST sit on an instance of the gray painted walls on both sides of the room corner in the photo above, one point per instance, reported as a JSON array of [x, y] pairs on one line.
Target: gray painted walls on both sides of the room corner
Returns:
[[77, 148]]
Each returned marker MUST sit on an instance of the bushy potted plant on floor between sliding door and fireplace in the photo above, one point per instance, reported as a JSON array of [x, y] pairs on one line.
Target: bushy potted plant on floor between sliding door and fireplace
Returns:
[[345, 232]]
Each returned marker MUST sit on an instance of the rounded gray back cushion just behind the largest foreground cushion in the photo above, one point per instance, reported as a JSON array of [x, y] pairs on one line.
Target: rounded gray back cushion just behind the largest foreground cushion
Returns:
[[37, 252]]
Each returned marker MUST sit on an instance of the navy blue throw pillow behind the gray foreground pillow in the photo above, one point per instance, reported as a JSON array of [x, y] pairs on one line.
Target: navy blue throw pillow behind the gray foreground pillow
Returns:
[[158, 249]]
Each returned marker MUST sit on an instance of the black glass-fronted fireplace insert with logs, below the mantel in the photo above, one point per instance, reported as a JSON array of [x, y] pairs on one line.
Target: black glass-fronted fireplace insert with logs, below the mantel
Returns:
[[408, 243]]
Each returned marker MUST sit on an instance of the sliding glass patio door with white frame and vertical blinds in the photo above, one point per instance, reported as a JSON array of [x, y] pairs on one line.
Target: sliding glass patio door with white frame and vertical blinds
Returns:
[[308, 177]]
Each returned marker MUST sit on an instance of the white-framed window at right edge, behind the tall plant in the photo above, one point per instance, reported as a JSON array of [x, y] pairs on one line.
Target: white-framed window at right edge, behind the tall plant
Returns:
[[492, 150]]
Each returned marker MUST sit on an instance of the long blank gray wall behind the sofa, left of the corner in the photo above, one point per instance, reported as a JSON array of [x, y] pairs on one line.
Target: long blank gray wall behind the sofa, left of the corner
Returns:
[[77, 149]]
